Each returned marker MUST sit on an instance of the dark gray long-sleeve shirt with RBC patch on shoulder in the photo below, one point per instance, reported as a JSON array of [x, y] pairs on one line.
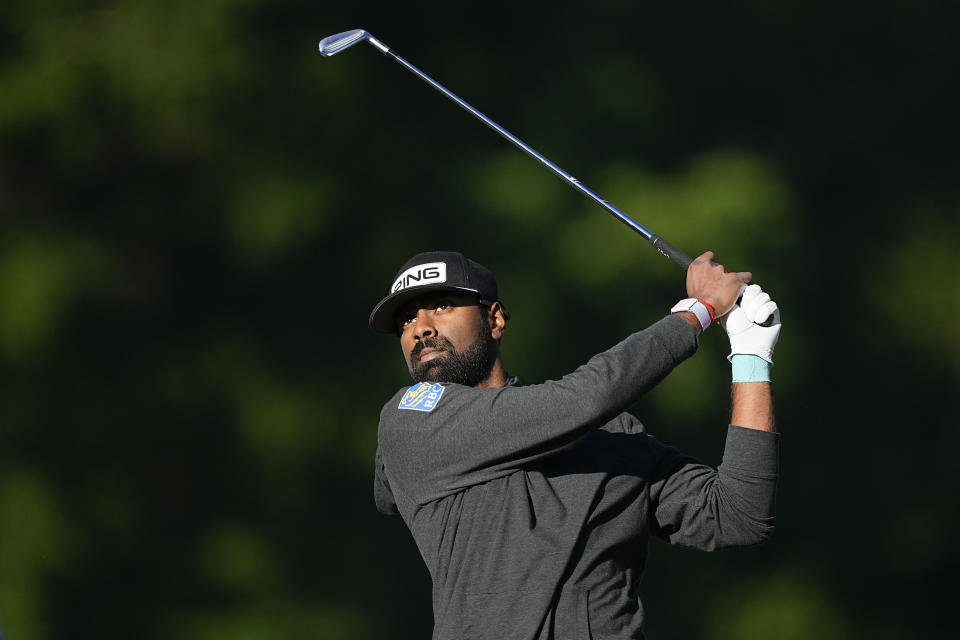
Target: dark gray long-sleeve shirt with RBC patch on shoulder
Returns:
[[532, 505]]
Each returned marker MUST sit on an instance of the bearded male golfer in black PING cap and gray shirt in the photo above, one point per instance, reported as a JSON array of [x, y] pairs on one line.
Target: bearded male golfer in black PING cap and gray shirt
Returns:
[[532, 505]]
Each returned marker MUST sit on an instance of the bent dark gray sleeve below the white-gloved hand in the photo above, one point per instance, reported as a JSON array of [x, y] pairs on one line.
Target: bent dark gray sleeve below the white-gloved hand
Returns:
[[695, 505]]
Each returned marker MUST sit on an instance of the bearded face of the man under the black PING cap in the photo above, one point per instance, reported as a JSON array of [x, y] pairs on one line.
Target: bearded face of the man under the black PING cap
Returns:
[[446, 337]]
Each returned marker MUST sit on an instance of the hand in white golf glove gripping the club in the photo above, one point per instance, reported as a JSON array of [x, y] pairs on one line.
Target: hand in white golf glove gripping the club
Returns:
[[743, 324]]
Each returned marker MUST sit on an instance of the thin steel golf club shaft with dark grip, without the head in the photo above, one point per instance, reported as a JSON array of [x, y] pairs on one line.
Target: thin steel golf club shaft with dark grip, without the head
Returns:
[[661, 245]]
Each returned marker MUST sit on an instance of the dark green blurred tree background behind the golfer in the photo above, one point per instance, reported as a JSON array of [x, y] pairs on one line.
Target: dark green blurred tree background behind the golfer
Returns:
[[198, 212]]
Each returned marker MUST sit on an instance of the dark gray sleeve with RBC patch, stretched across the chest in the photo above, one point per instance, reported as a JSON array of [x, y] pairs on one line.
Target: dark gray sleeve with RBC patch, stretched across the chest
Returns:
[[474, 435]]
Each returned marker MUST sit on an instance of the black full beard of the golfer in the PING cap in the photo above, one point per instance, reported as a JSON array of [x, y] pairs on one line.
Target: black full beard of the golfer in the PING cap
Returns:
[[469, 367]]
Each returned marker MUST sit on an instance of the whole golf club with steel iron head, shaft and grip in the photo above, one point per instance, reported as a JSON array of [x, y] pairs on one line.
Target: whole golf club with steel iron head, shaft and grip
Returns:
[[334, 44]]
